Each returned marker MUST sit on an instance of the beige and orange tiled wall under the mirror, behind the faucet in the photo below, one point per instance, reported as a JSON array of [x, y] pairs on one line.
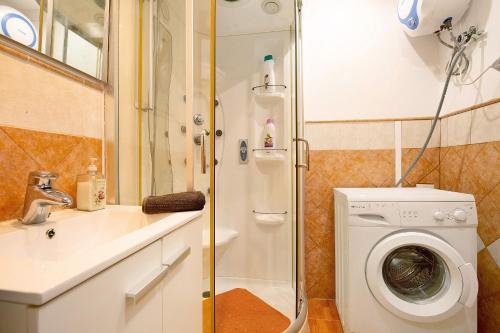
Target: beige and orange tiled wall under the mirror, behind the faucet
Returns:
[[48, 120]]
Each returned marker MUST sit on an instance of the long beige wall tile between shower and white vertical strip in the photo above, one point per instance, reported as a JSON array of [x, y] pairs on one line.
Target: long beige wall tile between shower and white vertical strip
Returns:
[[349, 136]]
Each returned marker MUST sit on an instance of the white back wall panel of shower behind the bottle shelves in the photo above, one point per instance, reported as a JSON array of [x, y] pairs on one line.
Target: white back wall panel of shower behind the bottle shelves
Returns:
[[260, 251]]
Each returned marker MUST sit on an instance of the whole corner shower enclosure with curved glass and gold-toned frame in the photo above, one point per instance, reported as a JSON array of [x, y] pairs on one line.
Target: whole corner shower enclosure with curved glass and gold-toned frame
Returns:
[[192, 108]]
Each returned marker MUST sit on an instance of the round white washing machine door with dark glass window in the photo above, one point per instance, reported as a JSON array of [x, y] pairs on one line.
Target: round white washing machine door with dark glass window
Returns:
[[420, 277]]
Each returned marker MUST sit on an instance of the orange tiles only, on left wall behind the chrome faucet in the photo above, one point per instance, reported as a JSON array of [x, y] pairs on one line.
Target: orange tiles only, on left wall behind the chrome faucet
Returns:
[[22, 151]]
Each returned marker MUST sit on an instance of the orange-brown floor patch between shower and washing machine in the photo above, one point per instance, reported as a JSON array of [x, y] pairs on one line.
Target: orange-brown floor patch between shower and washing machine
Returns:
[[323, 317]]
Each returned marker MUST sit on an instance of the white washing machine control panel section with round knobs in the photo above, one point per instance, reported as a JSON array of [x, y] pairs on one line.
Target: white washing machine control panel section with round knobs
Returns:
[[437, 213]]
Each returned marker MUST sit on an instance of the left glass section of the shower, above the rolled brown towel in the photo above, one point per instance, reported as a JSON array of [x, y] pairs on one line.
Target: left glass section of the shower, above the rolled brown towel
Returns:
[[152, 150]]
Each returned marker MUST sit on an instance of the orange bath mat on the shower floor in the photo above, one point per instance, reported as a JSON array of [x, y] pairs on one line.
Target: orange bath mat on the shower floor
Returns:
[[239, 310]]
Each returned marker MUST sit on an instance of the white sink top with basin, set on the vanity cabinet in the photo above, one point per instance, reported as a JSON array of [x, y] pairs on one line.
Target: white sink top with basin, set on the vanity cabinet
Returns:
[[36, 268]]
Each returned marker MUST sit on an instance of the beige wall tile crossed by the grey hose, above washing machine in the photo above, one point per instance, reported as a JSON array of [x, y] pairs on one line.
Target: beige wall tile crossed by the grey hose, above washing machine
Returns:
[[415, 132]]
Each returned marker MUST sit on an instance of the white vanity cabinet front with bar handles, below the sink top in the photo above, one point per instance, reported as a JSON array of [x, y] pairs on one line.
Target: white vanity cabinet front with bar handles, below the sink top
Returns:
[[157, 289]]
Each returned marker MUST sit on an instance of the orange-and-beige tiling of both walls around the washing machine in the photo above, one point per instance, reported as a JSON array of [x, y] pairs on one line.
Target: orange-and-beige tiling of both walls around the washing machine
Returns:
[[464, 156]]
